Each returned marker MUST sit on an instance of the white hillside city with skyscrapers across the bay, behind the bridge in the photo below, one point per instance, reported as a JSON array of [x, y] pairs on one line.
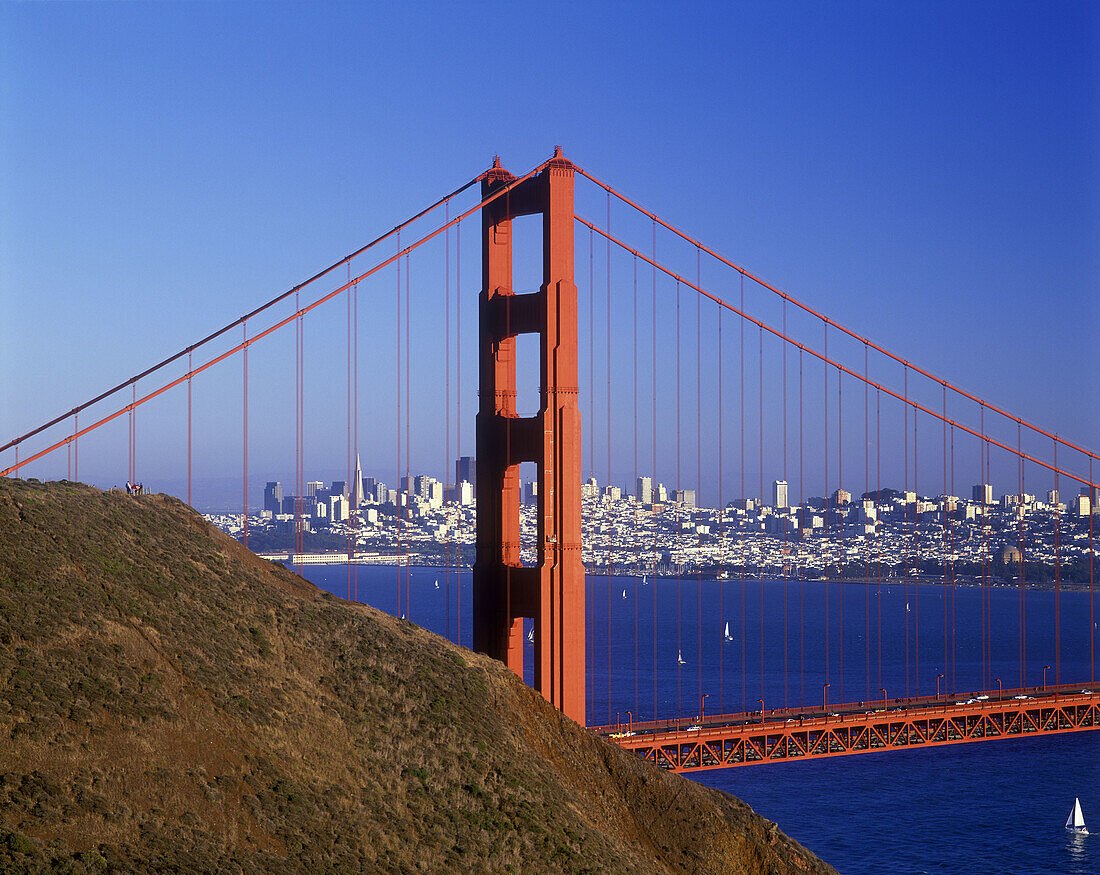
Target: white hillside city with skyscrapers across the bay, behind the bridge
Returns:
[[657, 531]]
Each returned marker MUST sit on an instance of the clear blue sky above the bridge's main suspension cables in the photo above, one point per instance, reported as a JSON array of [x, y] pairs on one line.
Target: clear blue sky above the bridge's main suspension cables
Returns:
[[926, 173]]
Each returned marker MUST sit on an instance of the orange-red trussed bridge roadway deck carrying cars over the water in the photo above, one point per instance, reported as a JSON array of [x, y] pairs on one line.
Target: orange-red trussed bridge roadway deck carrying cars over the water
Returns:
[[724, 741]]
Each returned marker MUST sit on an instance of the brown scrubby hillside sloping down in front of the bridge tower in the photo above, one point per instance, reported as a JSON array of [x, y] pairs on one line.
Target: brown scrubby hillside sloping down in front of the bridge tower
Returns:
[[171, 702]]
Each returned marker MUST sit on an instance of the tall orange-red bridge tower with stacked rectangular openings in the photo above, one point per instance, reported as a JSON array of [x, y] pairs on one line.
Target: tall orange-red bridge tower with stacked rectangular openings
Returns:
[[552, 593]]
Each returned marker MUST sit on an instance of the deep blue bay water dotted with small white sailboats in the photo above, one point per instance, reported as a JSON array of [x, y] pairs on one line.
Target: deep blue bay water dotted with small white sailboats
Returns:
[[996, 807]]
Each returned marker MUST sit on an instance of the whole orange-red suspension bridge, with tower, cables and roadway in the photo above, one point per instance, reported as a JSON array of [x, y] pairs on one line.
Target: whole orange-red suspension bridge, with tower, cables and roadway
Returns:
[[699, 362]]
